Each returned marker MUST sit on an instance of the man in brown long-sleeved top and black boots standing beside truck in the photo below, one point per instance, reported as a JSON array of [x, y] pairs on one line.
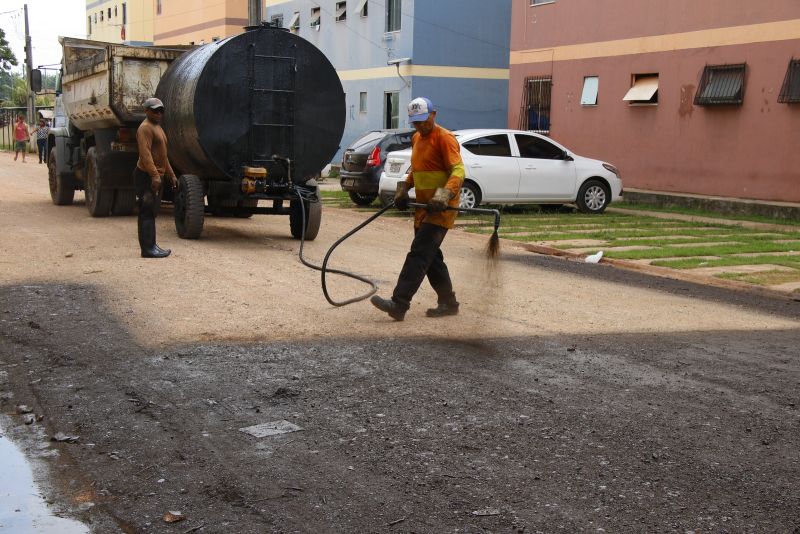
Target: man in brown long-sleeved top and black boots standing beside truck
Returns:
[[152, 167]]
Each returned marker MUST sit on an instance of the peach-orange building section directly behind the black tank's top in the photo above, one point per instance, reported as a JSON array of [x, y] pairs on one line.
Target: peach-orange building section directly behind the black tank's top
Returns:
[[198, 21]]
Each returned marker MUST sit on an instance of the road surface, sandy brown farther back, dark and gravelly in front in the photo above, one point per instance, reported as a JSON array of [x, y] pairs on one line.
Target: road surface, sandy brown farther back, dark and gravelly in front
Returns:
[[564, 398]]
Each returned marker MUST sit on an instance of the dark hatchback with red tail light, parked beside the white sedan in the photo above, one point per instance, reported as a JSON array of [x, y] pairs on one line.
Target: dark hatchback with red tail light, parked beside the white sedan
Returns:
[[364, 159]]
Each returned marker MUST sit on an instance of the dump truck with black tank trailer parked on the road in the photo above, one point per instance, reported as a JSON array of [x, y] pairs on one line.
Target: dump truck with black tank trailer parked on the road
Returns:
[[250, 120]]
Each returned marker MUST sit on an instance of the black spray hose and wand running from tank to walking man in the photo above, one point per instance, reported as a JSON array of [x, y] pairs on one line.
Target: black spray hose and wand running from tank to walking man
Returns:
[[324, 270]]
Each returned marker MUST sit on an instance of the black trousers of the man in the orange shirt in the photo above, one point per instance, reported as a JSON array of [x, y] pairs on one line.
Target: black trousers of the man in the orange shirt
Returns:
[[425, 259]]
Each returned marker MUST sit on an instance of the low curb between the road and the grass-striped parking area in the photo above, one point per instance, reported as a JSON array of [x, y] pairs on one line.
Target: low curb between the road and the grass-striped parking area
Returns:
[[660, 272]]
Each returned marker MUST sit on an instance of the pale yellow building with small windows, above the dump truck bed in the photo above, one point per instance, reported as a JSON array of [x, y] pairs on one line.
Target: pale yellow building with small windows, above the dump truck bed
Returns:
[[120, 21]]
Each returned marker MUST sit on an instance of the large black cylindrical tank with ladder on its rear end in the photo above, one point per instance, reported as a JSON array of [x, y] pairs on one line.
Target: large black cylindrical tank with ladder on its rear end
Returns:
[[239, 101]]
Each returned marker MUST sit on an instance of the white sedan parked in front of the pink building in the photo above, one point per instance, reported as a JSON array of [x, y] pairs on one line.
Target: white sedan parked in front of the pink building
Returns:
[[518, 167]]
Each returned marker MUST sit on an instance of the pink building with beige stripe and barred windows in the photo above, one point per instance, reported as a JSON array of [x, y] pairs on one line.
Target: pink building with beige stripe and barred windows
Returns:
[[685, 96]]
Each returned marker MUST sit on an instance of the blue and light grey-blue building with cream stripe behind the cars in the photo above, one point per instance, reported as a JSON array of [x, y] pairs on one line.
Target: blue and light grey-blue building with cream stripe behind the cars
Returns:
[[438, 36]]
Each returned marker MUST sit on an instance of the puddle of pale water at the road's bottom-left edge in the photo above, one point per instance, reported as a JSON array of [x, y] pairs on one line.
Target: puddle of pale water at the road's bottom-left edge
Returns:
[[22, 508]]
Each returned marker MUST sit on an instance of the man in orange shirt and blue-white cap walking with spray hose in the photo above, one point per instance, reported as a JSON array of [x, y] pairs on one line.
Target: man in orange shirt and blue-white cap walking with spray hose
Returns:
[[437, 173]]
